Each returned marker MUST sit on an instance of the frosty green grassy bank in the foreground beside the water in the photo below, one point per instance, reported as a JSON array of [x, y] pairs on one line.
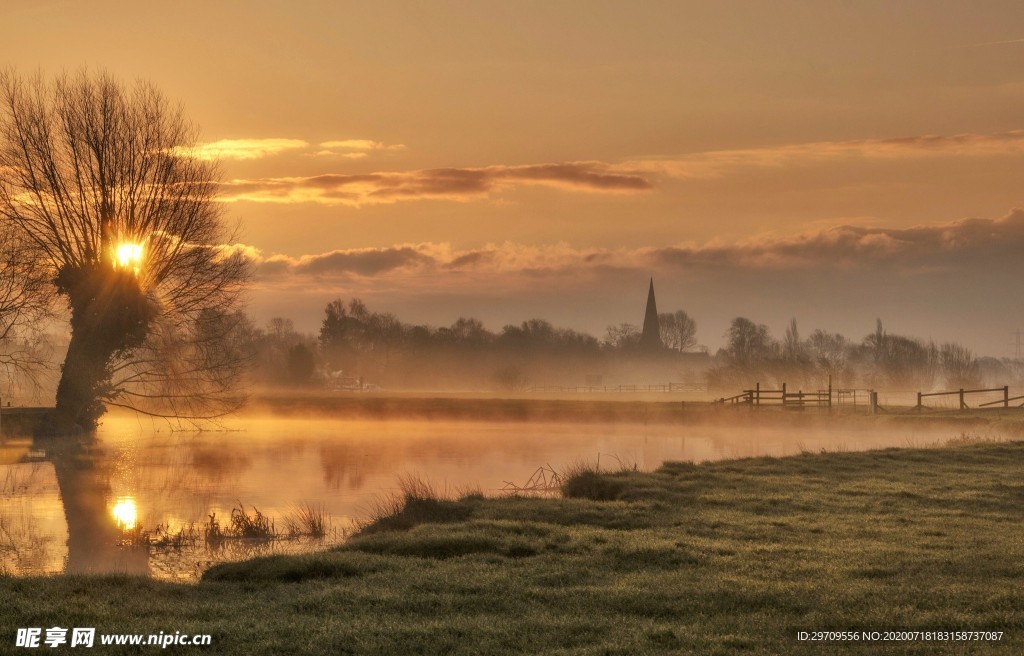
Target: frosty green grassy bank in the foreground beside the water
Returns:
[[730, 557]]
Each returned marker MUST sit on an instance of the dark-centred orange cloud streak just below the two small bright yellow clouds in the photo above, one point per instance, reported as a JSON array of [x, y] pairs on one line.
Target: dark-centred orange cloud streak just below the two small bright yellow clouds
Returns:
[[452, 184]]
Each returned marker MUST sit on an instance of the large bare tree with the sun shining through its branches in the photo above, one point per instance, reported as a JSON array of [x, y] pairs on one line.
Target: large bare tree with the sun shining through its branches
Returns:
[[102, 183]]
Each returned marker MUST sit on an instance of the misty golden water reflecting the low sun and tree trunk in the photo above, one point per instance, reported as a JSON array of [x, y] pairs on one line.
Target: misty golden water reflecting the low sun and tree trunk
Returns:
[[87, 508]]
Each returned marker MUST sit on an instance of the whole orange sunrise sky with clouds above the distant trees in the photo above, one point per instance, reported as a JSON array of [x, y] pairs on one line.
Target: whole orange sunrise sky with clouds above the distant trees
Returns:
[[513, 160]]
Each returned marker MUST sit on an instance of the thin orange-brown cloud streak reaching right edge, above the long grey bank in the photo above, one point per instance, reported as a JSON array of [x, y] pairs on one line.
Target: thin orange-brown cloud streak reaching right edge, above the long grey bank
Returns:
[[714, 164]]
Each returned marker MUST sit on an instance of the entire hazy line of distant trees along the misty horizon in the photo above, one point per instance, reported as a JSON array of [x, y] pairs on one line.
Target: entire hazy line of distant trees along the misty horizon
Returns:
[[378, 348]]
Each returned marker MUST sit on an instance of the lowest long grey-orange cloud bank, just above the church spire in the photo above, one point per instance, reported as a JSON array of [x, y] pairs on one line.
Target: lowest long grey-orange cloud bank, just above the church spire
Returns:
[[989, 243]]
